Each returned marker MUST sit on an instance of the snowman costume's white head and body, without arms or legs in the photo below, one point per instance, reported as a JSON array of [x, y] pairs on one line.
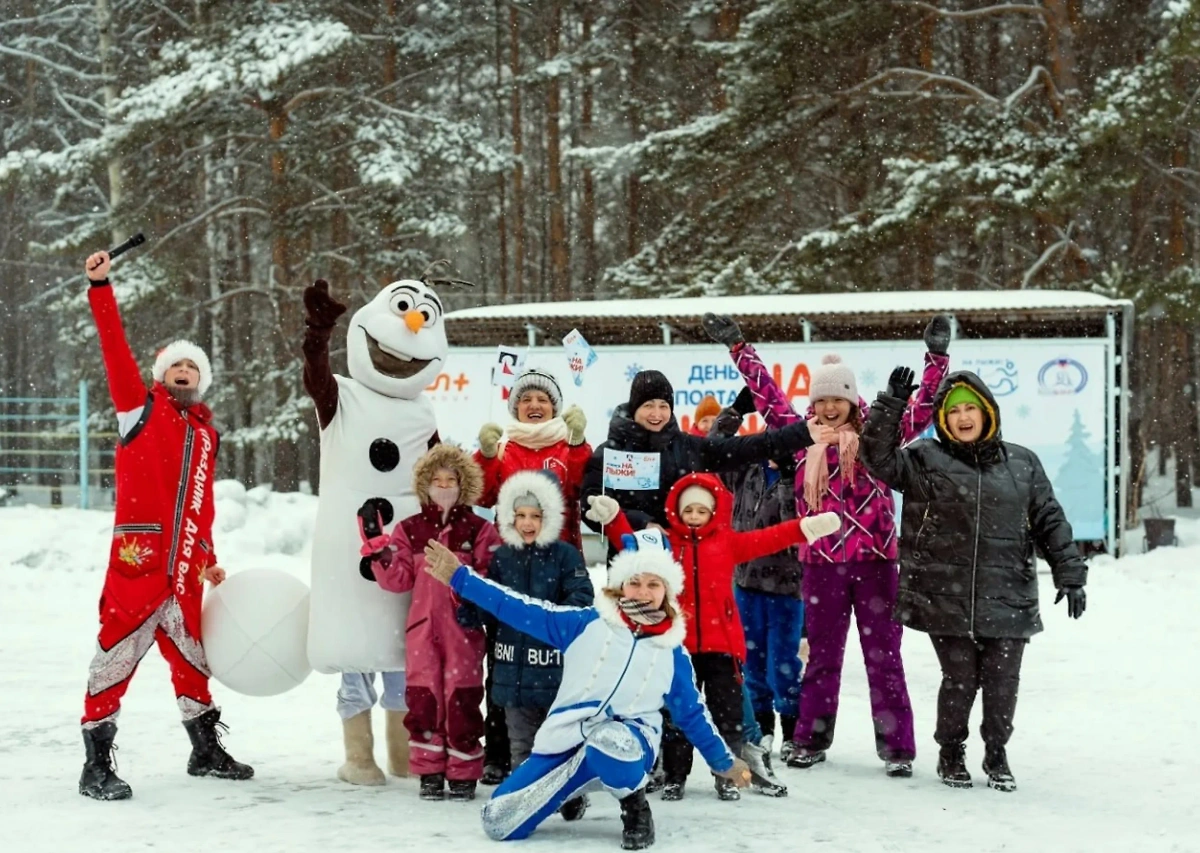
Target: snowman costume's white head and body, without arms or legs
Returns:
[[397, 346]]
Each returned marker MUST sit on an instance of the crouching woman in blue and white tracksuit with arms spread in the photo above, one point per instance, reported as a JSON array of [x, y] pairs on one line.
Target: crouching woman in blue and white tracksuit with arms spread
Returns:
[[623, 663]]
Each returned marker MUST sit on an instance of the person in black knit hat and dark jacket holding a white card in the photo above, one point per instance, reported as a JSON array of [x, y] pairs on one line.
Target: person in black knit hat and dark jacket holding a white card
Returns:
[[647, 424]]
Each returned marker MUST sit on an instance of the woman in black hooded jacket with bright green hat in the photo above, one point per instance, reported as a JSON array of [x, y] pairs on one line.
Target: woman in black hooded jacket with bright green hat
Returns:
[[976, 508]]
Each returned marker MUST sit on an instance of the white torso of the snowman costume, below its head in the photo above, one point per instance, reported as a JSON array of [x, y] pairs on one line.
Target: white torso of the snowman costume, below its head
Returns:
[[353, 624]]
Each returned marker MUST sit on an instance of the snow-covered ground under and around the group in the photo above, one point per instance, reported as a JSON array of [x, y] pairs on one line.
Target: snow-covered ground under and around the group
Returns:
[[1106, 749]]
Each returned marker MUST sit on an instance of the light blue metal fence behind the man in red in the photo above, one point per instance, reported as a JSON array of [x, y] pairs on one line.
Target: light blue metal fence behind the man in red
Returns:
[[52, 435]]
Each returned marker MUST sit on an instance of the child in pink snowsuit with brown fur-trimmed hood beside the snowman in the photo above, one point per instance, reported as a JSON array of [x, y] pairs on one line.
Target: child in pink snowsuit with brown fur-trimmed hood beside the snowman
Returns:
[[445, 662]]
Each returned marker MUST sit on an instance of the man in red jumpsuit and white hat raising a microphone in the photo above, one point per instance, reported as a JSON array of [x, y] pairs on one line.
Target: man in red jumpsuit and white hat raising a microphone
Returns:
[[163, 546]]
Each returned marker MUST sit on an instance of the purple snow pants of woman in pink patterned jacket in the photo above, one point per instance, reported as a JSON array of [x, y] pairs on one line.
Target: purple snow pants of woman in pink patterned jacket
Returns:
[[831, 592]]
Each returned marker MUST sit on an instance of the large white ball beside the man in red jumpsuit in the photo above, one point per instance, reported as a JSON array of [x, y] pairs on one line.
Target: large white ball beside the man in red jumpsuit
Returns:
[[255, 629]]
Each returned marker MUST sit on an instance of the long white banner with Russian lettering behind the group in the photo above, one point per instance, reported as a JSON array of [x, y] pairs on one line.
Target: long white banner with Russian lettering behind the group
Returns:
[[1051, 392]]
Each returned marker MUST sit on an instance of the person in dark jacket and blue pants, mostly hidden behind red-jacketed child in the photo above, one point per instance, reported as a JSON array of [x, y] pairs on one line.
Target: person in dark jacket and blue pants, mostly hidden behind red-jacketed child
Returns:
[[767, 590]]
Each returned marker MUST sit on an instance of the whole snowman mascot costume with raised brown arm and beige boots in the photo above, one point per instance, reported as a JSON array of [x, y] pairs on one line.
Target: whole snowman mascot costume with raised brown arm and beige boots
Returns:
[[375, 426]]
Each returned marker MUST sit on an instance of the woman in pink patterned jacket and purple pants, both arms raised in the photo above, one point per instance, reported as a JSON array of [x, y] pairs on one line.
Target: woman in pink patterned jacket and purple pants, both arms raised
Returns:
[[856, 570]]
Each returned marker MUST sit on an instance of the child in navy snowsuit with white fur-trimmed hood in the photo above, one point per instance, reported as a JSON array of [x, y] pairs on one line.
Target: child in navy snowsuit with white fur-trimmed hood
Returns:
[[536, 563]]
